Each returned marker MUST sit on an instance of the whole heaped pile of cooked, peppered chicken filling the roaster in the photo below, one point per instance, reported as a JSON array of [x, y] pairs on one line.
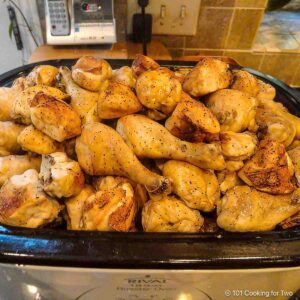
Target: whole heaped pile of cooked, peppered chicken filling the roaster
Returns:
[[147, 148]]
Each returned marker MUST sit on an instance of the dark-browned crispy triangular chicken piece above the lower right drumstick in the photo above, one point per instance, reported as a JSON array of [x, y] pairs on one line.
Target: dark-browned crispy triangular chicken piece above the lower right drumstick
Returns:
[[269, 170]]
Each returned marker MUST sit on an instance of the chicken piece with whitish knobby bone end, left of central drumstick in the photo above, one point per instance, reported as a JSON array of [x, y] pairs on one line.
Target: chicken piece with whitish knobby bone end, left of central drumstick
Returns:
[[61, 176]]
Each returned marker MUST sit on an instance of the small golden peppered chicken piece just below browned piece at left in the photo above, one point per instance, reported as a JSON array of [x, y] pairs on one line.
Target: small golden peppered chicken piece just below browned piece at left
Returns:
[[31, 139]]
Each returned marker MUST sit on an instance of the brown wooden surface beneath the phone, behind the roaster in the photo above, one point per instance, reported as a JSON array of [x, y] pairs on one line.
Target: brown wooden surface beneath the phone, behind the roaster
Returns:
[[120, 50]]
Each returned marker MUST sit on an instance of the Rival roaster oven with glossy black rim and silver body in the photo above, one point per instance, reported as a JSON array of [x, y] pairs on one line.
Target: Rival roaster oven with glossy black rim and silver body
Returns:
[[54, 264]]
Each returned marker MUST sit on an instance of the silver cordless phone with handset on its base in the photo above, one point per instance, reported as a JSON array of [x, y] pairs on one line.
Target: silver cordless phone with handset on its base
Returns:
[[71, 22]]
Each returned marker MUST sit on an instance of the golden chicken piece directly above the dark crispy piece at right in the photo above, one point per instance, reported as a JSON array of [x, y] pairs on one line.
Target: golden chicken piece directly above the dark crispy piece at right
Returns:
[[275, 127]]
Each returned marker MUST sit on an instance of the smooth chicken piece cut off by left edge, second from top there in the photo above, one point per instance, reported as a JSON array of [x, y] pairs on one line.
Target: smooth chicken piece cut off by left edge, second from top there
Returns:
[[9, 132]]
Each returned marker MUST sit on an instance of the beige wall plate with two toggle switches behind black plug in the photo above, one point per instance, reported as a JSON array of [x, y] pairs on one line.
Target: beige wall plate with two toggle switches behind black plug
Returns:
[[170, 17]]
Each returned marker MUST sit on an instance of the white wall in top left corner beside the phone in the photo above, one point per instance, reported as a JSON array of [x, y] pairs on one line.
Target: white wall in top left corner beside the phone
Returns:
[[10, 56]]
